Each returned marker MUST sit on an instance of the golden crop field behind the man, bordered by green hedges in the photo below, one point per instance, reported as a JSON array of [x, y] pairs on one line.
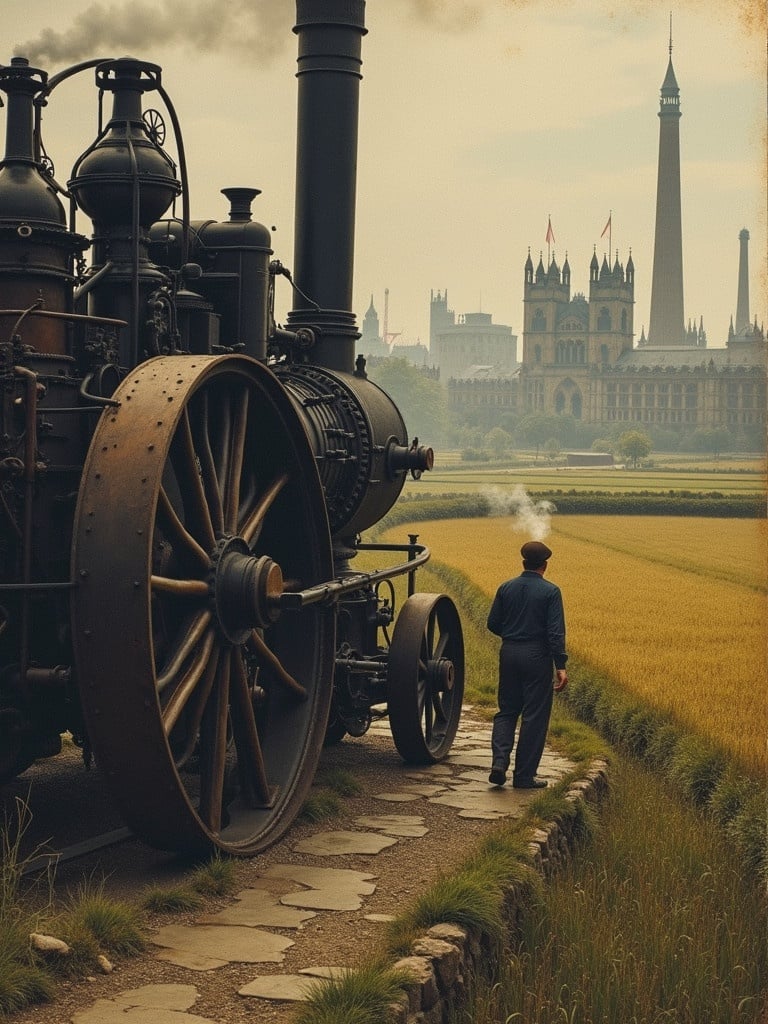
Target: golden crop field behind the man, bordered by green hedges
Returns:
[[685, 643]]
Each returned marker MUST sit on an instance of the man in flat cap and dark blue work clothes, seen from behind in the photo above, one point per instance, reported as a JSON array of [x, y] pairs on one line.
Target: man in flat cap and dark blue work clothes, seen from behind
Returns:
[[528, 615]]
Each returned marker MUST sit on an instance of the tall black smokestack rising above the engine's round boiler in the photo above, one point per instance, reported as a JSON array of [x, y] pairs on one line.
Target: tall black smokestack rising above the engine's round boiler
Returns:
[[330, 35]]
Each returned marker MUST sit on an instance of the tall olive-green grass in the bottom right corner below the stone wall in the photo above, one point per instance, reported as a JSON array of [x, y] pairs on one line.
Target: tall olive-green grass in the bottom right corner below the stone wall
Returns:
[[655, 924]]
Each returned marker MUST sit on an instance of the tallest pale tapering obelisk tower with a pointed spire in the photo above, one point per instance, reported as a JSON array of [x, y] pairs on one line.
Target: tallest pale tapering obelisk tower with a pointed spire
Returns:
[[667, 325]]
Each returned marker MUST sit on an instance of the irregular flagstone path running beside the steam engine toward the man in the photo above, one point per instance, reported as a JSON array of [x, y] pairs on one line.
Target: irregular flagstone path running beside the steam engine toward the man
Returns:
[[287, 895]]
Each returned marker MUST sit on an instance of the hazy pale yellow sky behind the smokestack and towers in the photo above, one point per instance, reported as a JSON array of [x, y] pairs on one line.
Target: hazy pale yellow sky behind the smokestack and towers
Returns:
[[479, 120]]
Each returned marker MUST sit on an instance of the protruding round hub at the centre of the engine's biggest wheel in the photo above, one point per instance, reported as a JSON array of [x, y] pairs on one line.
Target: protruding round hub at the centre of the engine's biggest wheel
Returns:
[[247, 589]]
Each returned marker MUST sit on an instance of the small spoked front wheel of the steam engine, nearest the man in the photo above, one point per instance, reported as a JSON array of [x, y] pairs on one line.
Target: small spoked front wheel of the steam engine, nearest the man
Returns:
[[425, 678]]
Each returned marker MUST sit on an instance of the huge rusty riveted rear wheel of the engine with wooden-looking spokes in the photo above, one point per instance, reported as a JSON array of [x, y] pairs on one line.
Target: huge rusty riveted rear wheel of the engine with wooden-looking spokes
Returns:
[[200, 506]]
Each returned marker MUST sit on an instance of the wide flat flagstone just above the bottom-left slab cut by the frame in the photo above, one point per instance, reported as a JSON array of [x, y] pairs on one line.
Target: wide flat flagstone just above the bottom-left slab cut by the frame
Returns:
[[226, 944]]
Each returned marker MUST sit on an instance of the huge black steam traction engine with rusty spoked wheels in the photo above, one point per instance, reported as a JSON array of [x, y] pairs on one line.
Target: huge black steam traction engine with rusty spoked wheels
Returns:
[[184, 484]]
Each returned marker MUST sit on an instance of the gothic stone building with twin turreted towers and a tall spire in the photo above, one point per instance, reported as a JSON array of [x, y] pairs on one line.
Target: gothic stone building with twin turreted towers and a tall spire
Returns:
[[578, 355]]
